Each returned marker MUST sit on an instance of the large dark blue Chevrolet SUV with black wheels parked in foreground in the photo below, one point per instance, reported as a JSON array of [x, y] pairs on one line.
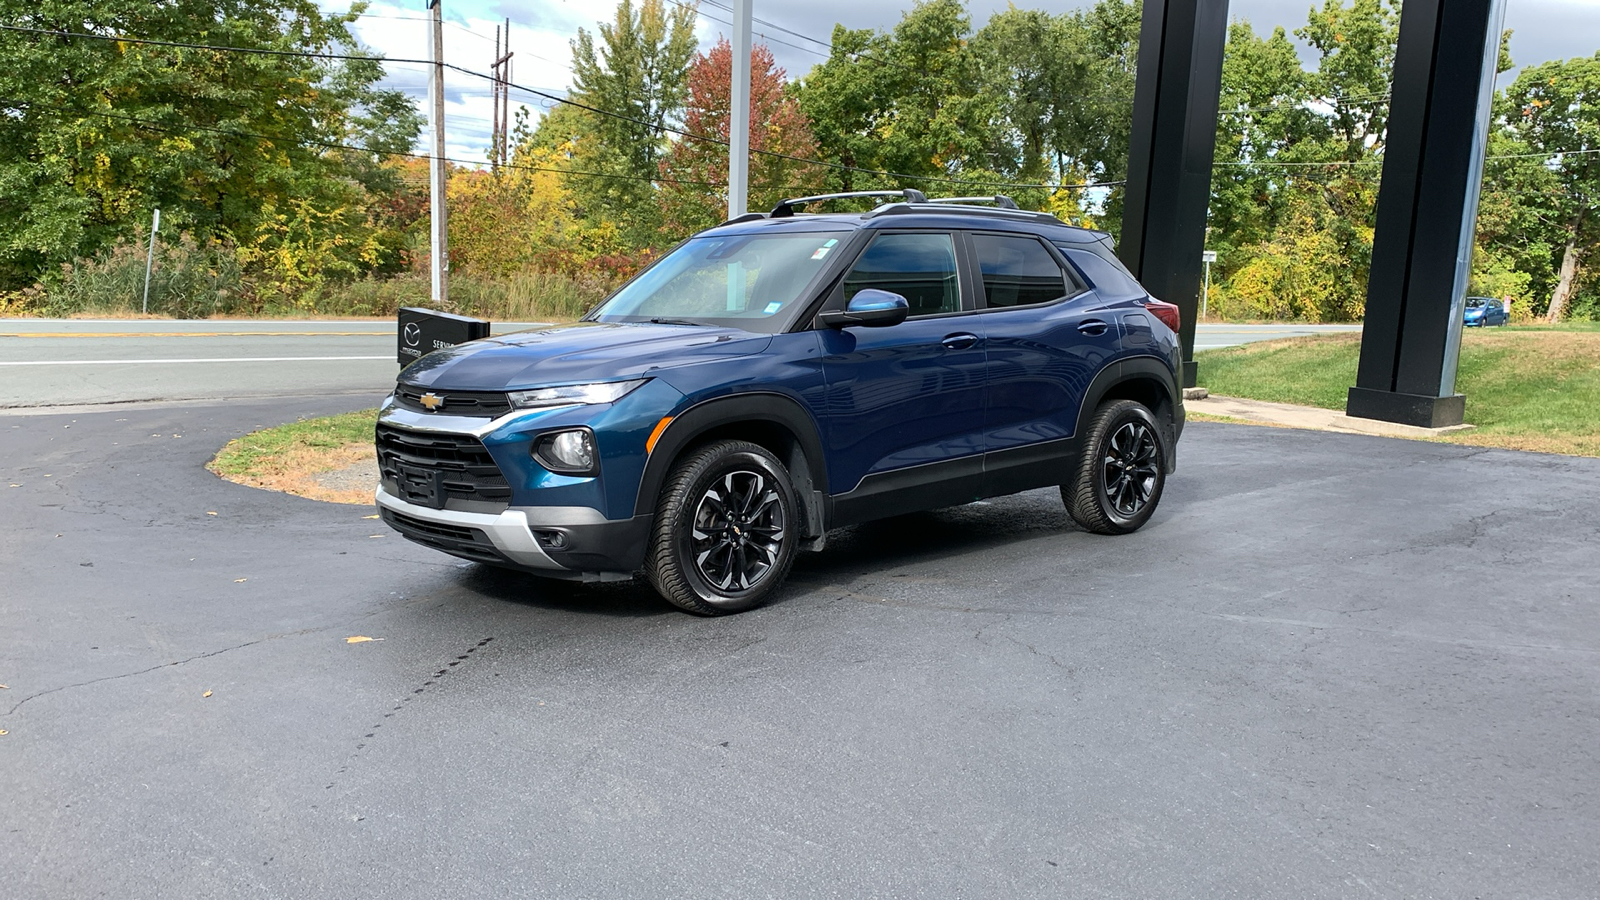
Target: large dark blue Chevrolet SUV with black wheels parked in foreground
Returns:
[[786, 374]]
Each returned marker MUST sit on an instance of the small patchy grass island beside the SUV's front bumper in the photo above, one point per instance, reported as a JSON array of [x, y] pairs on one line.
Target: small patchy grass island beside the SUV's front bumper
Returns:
[[305, 457]]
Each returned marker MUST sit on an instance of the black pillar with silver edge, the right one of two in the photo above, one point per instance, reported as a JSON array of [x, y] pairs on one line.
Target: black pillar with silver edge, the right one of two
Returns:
[[1428, 206]]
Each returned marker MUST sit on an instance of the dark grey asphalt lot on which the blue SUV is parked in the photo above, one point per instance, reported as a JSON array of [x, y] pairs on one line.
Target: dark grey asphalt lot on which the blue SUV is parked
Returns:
[[1330, 667]]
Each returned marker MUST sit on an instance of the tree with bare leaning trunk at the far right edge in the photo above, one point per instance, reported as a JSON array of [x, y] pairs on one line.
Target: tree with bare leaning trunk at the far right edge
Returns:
[[1554, 111]]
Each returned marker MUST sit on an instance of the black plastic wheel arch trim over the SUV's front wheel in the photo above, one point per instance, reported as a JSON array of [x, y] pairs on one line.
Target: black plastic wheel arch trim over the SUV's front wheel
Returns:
[[769, 408]]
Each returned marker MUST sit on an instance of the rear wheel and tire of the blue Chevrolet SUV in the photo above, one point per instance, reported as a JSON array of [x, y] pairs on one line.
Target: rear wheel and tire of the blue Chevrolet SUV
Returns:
[[1121, 472]]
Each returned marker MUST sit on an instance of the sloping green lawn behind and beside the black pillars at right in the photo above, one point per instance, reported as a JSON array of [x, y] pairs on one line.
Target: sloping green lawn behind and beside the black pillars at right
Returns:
[[1529, 387]]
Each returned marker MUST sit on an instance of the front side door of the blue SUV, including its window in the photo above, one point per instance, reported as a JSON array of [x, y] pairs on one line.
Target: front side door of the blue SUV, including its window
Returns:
[[906, 403]]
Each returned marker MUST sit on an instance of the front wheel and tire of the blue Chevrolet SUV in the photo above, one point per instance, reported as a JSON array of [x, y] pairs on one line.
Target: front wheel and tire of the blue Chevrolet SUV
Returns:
[[711, 556]]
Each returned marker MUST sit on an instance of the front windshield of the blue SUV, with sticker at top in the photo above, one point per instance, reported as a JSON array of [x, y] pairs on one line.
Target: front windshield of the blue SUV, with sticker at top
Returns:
[[746, 281]]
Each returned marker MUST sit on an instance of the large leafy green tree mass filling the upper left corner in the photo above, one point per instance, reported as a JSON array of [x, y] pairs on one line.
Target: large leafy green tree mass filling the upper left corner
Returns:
[[95, 134]]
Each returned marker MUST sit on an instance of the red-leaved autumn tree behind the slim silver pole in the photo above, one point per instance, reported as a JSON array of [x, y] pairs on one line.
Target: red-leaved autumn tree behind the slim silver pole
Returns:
[[695, 171]]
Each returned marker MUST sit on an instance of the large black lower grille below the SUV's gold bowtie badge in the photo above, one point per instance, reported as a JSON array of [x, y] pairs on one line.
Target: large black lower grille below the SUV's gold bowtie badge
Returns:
[[431, 470]]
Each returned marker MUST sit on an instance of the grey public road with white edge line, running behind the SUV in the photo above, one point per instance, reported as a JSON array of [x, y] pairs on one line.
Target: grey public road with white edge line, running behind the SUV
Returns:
[[49, 363]]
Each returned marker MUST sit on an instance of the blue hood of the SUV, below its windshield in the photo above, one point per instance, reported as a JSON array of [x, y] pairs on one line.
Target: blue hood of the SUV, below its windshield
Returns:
[[574, 355]]
